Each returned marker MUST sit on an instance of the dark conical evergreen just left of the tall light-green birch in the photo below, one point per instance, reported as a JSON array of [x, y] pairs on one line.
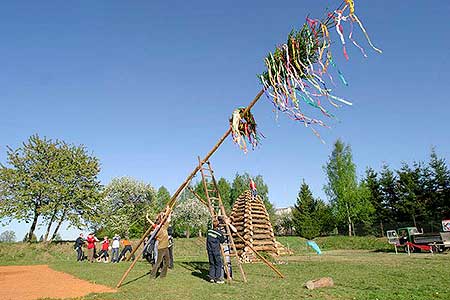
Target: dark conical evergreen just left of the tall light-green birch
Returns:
[[303, 214]]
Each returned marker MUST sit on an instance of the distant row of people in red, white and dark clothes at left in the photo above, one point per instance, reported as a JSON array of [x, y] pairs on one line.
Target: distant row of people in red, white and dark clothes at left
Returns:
[[107, 246]]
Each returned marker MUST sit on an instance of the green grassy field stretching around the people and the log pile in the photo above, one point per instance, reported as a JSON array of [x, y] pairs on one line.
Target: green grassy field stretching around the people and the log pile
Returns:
[[358, 273]]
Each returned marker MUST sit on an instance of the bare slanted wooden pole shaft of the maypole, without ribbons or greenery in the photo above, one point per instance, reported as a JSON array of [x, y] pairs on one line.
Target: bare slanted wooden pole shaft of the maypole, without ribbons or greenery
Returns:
[[177, 193]]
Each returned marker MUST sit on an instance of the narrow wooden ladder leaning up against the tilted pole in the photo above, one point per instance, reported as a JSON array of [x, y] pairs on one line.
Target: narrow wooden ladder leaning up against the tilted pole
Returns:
[[216, 209]]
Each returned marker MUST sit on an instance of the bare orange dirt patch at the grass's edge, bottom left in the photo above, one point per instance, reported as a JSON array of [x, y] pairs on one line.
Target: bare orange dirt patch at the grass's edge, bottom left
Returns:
[[34, 282]]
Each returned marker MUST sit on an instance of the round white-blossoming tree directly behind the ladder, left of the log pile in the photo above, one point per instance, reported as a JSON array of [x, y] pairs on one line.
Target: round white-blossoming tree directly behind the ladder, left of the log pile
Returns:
[[190, 215]]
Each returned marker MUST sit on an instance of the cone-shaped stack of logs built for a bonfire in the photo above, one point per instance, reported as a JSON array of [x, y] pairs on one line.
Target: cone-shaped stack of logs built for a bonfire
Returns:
[[252, 222]]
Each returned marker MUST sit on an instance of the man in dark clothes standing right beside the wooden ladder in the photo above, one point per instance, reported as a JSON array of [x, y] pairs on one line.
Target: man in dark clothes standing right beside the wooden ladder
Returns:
[[213, 240]]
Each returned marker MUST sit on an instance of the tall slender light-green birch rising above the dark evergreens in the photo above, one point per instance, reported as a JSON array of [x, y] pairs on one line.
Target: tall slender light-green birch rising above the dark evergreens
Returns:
[[347, 197]]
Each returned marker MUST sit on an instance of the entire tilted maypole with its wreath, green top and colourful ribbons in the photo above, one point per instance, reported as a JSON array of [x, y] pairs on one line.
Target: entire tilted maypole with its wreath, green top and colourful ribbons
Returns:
[[298, 74]]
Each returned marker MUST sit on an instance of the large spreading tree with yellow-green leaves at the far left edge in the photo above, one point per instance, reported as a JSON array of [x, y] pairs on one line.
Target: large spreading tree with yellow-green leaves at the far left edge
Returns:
[[48, 179]]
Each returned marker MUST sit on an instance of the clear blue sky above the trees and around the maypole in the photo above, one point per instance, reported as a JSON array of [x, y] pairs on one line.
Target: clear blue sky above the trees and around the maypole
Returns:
[[147, 86]]
